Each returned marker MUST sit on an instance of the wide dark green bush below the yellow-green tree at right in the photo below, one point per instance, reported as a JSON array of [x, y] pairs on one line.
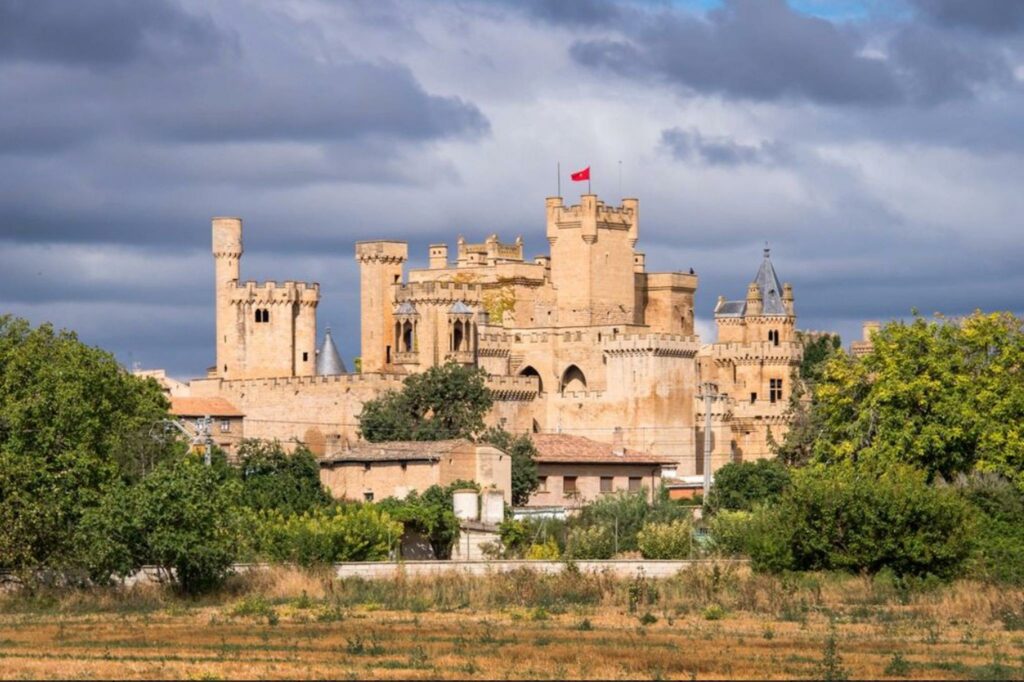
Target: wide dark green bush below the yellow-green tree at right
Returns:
[[856, 519]]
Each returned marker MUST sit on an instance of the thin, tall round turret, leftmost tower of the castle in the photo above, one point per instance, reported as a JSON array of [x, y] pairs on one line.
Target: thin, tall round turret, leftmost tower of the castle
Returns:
[[227, 260]]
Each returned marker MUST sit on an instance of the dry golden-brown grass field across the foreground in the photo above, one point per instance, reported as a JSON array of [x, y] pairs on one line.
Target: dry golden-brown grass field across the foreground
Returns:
[[715, 623]]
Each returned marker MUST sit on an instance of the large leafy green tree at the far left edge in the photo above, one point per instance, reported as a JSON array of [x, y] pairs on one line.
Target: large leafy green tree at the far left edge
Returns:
[[72, 421]]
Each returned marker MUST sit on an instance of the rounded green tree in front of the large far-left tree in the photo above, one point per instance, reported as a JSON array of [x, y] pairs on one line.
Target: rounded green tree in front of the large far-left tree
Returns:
[[183, 519]]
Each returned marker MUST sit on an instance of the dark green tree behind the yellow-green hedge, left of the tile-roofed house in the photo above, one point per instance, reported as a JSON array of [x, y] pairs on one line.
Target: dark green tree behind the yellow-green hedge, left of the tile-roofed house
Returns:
[[273, 479]]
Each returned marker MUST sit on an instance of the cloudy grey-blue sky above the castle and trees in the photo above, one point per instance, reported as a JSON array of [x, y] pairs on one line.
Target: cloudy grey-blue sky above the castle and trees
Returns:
[[877, 146]]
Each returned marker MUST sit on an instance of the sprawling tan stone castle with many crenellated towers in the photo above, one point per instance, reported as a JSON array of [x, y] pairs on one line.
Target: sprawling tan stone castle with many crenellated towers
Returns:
[[583, 342]]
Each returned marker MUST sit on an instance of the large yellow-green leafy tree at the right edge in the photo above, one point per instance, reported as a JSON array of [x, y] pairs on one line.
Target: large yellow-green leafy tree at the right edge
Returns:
[[946, 397]]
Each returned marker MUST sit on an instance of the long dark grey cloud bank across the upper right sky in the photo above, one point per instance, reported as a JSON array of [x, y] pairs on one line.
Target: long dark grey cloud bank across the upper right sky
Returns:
[[764, 50]]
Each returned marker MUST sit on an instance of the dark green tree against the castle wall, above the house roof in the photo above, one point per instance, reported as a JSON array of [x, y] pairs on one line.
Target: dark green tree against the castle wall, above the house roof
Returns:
[[446, 402]]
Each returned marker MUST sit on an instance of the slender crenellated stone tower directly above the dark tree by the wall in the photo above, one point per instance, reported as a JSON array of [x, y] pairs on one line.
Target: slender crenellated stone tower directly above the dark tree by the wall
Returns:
[[380, 271]]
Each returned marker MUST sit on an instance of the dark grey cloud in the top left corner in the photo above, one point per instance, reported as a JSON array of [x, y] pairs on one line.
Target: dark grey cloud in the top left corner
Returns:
[[104, 33]]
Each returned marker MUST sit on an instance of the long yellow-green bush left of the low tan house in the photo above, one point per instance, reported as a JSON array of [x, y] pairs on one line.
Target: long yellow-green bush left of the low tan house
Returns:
[[346, 533]]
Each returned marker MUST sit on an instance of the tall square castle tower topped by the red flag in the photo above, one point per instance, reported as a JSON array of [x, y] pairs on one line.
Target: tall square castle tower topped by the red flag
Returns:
[[592, 261]]
